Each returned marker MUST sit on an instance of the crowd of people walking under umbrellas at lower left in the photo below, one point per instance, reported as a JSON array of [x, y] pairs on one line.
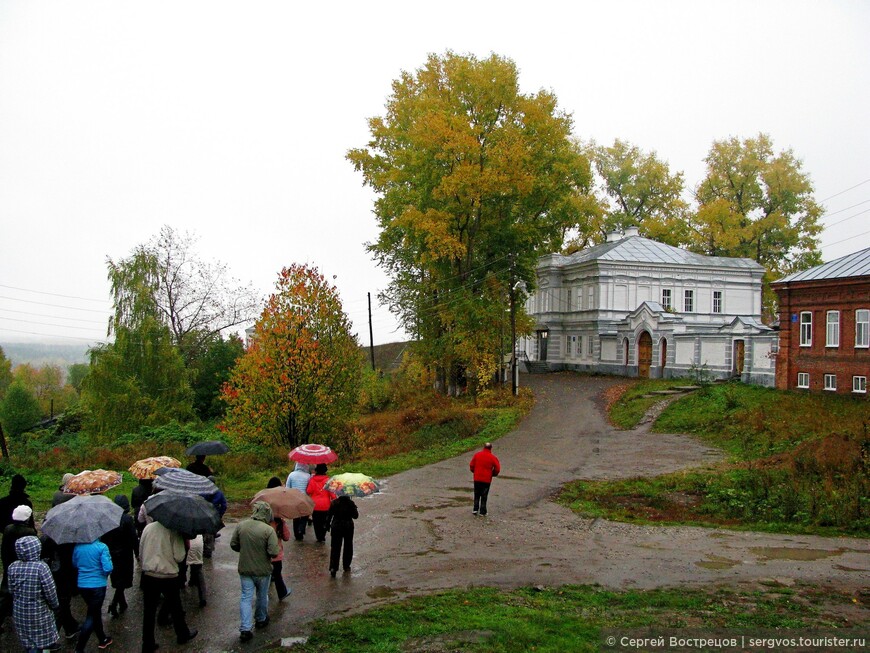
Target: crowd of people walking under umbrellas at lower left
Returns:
[[41, 578]]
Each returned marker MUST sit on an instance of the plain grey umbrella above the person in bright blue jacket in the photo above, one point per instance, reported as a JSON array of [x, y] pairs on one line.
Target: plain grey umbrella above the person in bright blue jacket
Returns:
[[81, 519]]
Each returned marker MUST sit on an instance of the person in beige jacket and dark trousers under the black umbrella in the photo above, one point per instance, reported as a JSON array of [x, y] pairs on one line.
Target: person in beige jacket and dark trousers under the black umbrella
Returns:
[[160, 552]]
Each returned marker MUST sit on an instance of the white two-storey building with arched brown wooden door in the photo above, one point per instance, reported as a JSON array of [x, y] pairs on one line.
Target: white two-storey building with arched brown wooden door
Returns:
[[636, 307]]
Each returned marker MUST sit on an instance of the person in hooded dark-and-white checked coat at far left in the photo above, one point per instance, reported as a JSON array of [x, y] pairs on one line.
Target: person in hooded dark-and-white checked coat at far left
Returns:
[[34, 597]]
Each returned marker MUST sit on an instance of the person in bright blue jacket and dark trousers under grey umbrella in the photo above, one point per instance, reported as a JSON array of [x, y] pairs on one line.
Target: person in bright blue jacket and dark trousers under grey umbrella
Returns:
[[94, 564]]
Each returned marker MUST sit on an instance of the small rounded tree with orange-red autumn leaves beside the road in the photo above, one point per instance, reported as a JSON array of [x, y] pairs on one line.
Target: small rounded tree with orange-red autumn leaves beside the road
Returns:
[[300, 376]]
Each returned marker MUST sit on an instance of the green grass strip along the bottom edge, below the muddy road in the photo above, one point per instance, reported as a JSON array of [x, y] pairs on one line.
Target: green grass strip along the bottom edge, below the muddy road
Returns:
[[574, 618]]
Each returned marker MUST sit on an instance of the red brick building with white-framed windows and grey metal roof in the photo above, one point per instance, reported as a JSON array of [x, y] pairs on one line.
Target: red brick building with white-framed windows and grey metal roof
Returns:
[[824, 321]]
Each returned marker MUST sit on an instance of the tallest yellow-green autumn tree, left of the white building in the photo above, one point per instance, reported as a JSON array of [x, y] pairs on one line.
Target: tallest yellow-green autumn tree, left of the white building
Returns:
[[474, 180]]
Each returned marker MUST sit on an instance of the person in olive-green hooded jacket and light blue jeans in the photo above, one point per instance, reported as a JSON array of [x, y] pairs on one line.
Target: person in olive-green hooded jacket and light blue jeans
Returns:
[[256, 543]]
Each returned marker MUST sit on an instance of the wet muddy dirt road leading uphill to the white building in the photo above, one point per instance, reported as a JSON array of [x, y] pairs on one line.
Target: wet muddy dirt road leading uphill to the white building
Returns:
[[419, 535]]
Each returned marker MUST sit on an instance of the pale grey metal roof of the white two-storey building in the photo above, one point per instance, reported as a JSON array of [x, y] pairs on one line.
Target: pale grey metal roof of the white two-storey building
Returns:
[[643, 250]]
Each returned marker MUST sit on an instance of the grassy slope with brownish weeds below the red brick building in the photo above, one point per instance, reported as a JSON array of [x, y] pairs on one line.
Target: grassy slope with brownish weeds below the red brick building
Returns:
[[798, 464]]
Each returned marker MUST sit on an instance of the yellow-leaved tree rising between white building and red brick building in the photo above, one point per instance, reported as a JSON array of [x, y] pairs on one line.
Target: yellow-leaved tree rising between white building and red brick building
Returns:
[[758, 204]]
